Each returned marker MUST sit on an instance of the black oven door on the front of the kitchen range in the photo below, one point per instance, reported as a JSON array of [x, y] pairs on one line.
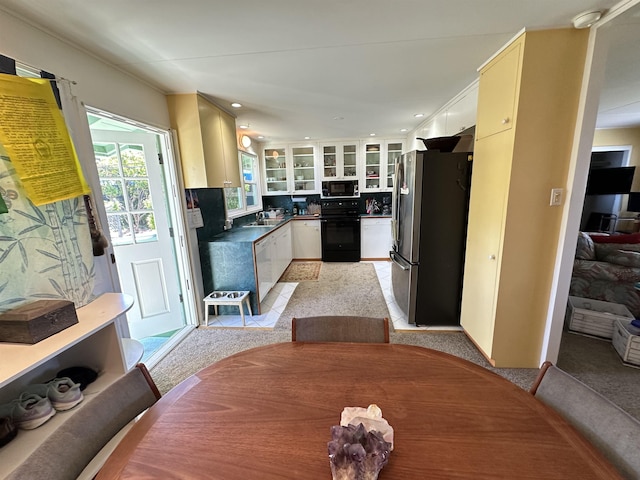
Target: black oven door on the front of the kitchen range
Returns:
[[341, 239]]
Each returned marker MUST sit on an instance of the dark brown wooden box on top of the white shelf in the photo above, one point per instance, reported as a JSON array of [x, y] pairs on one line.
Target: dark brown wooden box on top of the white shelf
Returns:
[[36, 321]]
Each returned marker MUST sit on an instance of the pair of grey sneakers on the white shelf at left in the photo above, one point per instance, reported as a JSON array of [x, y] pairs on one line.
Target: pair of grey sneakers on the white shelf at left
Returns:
[[39, 402]]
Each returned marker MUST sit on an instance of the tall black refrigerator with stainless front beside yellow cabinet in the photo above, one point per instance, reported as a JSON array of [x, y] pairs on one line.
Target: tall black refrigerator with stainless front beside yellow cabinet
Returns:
[[430, 206]]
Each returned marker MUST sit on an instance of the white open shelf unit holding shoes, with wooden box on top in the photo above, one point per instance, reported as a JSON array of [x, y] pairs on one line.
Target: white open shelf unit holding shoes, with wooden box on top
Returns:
[[92, 342]]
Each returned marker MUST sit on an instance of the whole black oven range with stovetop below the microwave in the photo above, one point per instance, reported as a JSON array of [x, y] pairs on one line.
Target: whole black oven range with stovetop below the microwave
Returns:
[[340, 220]]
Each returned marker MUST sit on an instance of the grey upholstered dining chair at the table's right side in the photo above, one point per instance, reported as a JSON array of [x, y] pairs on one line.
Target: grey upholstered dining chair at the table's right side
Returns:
[[609, 428]]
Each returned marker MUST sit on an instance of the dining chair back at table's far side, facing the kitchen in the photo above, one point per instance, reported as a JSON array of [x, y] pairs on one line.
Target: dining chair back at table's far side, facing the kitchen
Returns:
[[340, 329]]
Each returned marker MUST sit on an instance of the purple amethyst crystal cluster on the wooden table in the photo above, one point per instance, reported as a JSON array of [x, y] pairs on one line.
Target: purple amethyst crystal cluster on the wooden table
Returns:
[[356, 454]]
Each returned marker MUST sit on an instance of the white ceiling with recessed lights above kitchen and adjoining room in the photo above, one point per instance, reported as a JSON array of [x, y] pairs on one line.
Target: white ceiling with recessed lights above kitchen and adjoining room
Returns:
[[326, 69]]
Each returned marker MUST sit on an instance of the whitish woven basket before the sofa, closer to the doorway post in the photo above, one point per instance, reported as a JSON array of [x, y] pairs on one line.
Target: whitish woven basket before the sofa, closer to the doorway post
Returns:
[[595, 317]]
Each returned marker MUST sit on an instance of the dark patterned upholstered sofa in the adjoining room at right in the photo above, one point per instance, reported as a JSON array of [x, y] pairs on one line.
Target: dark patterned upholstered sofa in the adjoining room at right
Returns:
[[607, 268]]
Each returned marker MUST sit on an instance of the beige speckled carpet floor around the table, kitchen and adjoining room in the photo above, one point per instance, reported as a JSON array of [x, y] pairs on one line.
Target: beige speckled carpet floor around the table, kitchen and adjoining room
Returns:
[[353, 289]]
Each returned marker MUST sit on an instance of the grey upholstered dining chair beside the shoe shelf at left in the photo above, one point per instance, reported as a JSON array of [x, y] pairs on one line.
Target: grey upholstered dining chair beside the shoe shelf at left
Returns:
[[74, 444]]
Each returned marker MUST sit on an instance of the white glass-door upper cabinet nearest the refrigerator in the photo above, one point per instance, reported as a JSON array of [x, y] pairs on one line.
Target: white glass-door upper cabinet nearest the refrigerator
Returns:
[[379, 159]]
